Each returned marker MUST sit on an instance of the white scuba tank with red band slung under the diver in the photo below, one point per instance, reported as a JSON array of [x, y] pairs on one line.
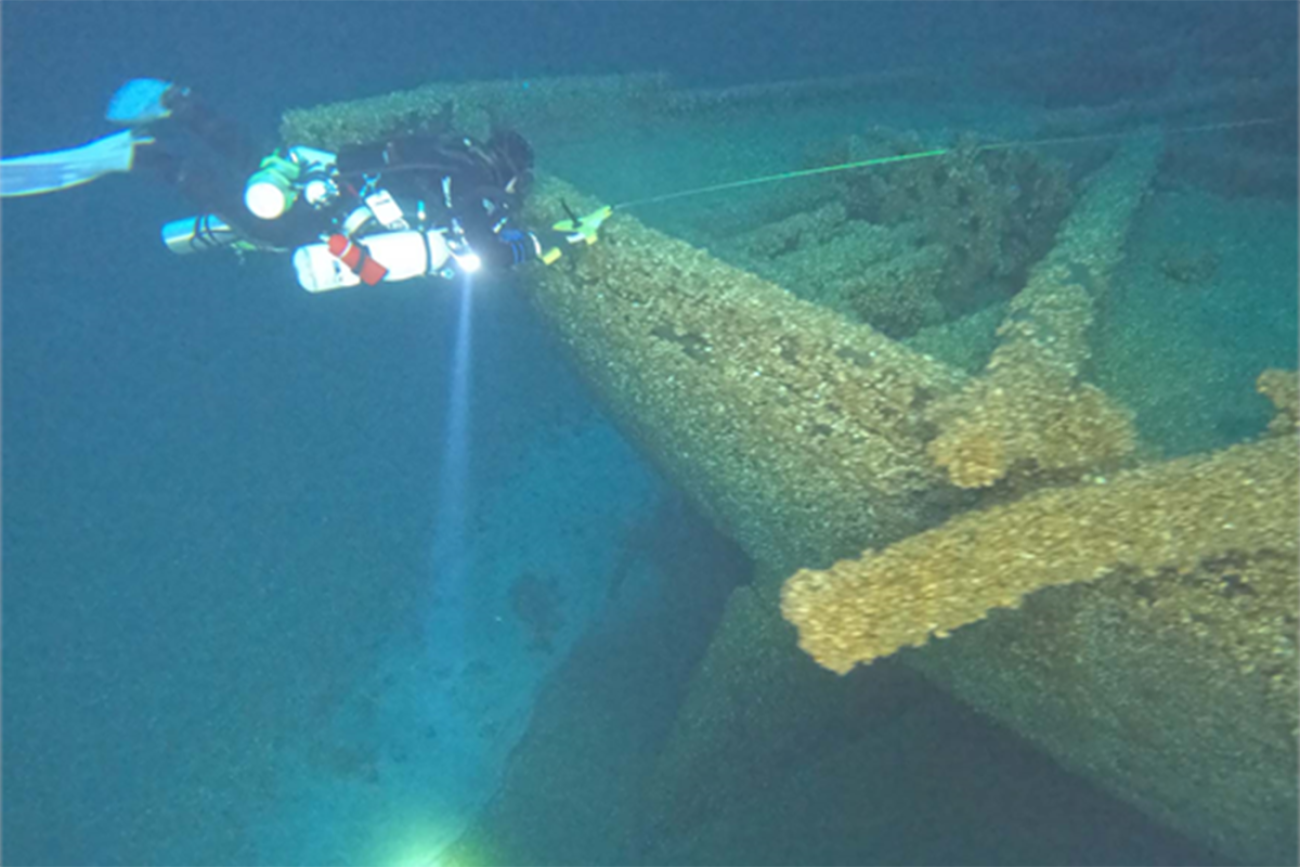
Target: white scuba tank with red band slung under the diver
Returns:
[[405, 254]]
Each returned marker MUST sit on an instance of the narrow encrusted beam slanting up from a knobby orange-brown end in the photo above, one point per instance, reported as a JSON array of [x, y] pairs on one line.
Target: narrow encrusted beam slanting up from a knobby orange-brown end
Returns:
[[1029, 408]]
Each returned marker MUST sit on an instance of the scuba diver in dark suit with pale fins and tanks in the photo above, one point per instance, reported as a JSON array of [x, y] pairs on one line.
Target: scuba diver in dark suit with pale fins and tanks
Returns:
[[414, 206]]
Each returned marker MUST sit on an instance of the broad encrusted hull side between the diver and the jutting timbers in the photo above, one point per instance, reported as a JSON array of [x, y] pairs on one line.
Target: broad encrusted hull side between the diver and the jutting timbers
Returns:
[[799, 433]]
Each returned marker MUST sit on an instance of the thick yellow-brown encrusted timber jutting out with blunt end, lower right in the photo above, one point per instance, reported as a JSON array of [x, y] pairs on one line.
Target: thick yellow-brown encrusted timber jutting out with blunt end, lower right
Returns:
[[1242, 501]]
